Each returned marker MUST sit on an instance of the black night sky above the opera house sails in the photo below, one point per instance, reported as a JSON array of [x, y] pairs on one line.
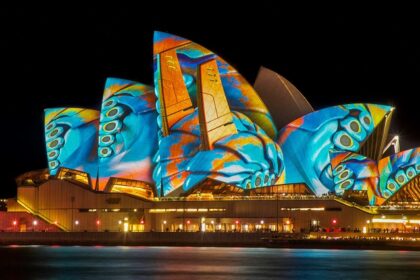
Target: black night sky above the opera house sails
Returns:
[[61, 57]]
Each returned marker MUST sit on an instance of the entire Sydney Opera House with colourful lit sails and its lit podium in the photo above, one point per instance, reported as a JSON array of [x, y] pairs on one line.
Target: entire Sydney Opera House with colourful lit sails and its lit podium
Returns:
[[204, 150]]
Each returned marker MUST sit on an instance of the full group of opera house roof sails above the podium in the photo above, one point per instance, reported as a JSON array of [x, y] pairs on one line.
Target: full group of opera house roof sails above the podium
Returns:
[[202, 128]]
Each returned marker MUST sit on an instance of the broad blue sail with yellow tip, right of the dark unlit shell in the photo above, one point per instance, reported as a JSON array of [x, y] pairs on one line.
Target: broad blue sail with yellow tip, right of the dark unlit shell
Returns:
[[307, 141]]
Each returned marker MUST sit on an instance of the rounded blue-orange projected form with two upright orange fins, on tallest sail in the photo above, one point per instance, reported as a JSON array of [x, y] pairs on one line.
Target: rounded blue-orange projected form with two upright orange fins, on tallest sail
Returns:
[[209, 141]]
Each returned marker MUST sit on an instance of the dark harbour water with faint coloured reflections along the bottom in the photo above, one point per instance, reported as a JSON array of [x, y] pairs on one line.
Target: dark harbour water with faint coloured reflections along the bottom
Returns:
[[55, 262]]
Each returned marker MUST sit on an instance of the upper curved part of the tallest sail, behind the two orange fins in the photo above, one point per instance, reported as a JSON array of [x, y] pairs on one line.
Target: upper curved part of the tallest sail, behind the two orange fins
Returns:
[[240, 94]]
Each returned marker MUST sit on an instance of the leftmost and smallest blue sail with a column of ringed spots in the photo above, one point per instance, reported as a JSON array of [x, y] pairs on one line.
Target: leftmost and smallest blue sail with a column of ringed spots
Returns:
[[71, 139]]
